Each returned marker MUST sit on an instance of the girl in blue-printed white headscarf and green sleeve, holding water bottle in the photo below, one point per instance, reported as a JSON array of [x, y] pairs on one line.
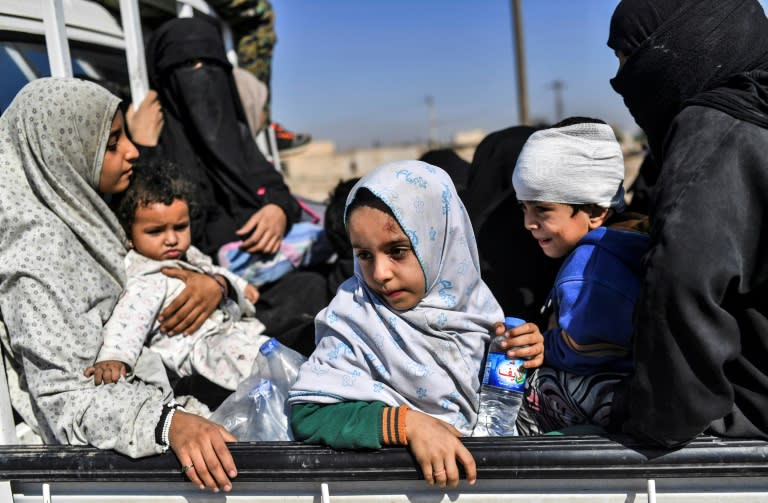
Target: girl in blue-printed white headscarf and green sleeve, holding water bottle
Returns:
[[399, 348]]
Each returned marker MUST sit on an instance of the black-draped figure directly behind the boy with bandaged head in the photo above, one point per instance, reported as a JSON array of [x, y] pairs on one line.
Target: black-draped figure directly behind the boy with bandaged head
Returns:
[[512, 263]]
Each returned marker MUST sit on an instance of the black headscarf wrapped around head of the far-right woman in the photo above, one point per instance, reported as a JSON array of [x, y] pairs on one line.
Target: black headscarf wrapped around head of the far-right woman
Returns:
[[679, 49]]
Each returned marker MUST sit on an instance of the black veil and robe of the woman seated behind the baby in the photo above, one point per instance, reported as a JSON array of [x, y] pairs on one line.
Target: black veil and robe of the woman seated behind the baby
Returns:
[[206, 132]]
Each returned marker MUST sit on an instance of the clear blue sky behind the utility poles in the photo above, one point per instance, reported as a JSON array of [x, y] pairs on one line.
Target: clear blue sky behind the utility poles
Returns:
[[358, 71]]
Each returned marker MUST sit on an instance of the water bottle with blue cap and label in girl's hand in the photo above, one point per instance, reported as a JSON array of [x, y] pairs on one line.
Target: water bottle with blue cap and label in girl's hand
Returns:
[[501, 392]]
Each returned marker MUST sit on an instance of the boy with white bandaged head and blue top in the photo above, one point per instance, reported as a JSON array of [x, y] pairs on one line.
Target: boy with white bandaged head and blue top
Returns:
[[568, 181]]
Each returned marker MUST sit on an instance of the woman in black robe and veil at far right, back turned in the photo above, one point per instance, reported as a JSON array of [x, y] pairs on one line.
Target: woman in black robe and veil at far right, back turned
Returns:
[[694, 77]]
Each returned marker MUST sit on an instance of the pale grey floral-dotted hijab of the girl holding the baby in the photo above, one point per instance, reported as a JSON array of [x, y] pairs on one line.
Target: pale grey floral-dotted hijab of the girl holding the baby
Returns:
[[58, 239]]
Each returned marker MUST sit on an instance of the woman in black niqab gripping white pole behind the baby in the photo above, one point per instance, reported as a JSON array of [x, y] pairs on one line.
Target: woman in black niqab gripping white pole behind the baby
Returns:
[[240, 196]]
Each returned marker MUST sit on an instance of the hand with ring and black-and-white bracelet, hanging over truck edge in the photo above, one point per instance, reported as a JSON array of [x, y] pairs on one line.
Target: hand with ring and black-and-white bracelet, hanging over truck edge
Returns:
[[200, 445]]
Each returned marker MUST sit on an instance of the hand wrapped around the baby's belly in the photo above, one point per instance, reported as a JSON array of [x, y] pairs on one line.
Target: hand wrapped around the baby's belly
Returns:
[[193, 305]]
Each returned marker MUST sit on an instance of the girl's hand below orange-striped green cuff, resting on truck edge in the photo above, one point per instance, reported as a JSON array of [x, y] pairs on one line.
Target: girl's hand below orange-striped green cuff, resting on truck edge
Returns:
[[436, 447]]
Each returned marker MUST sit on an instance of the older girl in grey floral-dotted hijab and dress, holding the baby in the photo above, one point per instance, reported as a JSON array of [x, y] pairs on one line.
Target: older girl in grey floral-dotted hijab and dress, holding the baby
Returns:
[[62, 145]]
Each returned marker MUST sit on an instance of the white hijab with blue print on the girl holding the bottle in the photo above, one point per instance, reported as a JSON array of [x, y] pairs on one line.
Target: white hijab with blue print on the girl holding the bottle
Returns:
[[429, 356]]
